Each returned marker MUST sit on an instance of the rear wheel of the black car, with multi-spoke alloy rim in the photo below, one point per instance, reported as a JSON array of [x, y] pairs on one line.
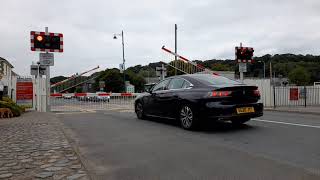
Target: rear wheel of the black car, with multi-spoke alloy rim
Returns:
[[187, 117]]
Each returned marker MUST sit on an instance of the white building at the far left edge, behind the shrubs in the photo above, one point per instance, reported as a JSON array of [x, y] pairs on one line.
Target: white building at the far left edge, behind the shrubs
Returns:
[[9, 77]]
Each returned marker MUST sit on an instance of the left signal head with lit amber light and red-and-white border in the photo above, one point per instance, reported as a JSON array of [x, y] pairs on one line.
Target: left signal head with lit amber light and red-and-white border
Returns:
[[50, 42]]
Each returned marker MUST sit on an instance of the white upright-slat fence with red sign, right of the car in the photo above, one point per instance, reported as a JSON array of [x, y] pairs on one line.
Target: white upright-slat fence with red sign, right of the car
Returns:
[[296, 96]]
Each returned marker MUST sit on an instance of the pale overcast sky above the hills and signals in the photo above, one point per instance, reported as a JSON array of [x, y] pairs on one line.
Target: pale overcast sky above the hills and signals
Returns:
[[206, 29]]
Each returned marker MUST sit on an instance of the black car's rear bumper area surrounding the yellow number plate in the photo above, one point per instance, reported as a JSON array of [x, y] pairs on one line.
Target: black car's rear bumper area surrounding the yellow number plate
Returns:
[[218, 111]]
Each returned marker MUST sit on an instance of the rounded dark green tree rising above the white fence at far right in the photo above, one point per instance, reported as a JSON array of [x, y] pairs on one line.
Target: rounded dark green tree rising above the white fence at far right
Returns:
[[299, 76]]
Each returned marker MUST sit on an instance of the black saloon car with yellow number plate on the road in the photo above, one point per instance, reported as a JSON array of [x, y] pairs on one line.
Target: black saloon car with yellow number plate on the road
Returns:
[[194, 97]]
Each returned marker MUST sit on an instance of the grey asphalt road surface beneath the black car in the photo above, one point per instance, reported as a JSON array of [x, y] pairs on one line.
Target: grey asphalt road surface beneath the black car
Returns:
[[119, 146]]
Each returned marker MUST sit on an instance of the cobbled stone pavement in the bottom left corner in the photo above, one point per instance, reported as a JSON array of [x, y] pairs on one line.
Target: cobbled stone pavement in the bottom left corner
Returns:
[[34, 146]]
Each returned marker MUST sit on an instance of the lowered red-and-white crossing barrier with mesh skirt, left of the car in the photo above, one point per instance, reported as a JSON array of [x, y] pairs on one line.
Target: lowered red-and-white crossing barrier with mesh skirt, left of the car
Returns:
[[91, 102]]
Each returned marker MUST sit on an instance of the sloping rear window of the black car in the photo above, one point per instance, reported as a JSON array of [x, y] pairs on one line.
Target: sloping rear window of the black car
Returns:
[[209, 79]]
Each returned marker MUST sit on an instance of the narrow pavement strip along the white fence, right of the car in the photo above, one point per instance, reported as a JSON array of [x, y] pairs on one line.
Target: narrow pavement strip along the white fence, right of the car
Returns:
[[297, 109]]
